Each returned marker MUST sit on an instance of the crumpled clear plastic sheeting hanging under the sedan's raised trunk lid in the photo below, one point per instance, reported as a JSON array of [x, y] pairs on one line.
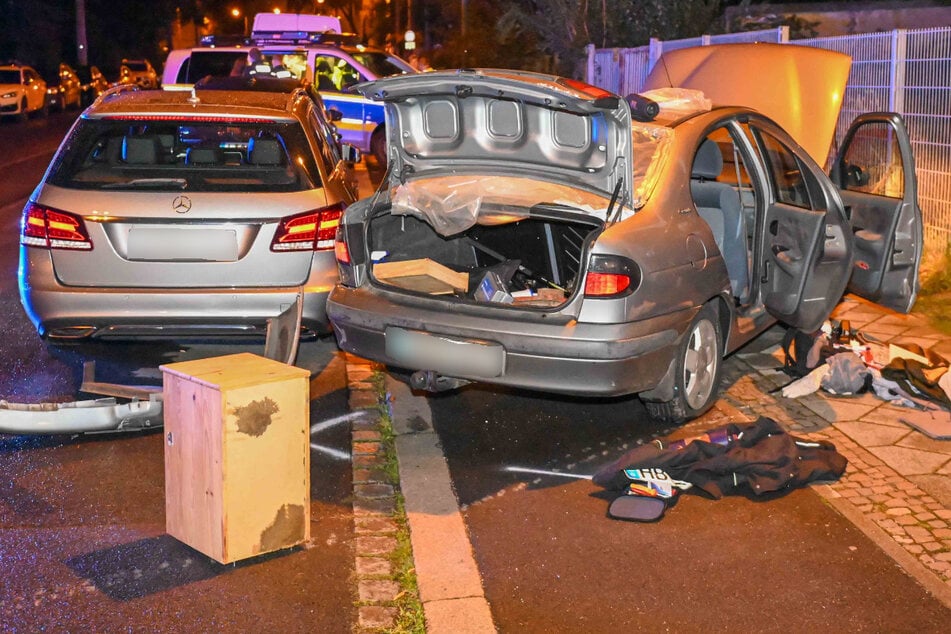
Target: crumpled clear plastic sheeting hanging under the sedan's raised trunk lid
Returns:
[[451, 204]]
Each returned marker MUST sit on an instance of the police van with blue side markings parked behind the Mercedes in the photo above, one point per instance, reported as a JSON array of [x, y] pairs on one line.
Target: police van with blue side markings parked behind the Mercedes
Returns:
[[306, 46]]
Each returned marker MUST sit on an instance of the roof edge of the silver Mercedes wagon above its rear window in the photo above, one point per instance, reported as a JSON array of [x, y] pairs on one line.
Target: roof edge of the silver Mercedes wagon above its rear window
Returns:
[[194, 103]]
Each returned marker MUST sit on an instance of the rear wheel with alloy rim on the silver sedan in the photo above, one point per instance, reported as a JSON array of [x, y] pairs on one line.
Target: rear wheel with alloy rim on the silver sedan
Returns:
[[697, 379]]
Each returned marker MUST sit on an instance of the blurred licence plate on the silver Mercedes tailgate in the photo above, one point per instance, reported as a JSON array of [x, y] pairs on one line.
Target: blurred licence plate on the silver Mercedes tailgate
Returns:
[[168, 244]]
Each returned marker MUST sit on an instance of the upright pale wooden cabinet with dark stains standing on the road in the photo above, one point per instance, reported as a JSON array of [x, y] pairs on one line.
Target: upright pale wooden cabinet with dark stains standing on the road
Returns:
[[237, 455]]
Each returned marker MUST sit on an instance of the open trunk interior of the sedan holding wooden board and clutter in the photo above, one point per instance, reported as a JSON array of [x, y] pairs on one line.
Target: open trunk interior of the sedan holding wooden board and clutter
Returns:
[[511, 258]]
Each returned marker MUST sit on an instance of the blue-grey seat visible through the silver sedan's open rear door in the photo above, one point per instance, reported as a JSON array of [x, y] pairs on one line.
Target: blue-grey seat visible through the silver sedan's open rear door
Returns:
[[719, 204]]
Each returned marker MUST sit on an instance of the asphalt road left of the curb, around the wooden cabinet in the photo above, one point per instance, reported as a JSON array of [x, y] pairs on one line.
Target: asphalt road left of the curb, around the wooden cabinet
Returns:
[[82, 519]]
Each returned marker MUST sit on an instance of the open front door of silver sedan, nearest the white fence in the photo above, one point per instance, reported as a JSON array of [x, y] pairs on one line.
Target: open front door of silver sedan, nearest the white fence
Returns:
[[875, 173]]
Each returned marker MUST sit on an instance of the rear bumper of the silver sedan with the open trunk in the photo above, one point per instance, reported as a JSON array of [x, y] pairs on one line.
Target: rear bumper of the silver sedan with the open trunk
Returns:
[[571, 358]]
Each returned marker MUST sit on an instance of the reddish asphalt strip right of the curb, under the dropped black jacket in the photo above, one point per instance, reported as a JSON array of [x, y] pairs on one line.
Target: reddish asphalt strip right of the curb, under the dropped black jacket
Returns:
[[552, 561]]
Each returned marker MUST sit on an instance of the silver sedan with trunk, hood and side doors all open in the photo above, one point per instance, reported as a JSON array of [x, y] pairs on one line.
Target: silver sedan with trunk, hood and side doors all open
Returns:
[[531, 234]]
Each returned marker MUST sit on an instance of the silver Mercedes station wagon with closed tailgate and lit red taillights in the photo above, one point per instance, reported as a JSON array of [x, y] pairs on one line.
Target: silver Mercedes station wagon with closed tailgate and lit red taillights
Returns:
[[166, 214]]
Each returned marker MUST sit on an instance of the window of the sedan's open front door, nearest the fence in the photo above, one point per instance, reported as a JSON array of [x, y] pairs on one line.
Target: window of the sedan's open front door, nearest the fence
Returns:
[[872, 162]]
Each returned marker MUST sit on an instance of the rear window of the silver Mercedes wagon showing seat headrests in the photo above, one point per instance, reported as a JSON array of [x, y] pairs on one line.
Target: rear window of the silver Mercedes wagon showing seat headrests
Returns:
[[186, 155]]
